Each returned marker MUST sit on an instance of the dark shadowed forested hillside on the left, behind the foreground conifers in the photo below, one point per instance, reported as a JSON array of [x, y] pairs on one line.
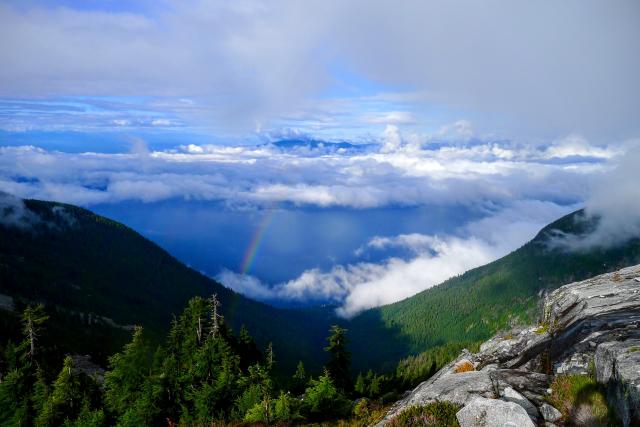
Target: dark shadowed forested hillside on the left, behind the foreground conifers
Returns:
[[79, 263]]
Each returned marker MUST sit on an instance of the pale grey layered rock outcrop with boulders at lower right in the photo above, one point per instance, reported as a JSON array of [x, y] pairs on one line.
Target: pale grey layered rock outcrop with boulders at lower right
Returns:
[[584, 325]]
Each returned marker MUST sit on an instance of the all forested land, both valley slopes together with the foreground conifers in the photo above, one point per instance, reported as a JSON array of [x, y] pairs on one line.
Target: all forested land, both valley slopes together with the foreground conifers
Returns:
[[80, 293]]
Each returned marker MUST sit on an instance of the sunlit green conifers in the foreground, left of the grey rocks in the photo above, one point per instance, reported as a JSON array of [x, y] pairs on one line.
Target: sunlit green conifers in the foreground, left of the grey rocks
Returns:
[[203, 374]]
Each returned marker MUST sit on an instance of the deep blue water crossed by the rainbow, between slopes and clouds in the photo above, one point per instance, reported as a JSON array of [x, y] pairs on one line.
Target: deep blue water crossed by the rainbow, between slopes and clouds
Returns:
[[210, 236]]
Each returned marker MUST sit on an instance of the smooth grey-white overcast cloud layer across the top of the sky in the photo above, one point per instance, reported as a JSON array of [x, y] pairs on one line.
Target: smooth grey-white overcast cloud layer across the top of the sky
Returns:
[[549, 68]]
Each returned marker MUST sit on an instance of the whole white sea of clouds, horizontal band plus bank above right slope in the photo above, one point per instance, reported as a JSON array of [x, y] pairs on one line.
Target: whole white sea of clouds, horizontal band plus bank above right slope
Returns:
[[518, 187]]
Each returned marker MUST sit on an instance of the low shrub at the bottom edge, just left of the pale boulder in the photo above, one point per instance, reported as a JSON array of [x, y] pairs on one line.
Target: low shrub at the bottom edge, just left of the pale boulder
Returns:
[[437, 414]]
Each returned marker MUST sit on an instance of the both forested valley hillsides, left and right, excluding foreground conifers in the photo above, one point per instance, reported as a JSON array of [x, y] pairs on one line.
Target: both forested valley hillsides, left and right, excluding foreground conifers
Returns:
[[99, 277]]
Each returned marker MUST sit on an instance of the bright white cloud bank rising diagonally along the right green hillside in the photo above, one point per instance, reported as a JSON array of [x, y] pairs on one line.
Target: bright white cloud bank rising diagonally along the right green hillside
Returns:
[[363, 285]]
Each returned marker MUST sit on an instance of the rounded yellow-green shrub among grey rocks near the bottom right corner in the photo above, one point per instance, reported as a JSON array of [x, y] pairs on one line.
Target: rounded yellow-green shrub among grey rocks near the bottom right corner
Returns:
[[581, 400]]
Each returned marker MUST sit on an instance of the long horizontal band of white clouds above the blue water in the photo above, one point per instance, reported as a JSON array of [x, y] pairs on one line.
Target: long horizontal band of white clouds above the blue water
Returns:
[[403, 170]]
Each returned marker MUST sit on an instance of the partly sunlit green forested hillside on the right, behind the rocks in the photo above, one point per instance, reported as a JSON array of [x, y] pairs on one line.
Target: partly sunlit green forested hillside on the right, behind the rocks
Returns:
[[473, 306]]
